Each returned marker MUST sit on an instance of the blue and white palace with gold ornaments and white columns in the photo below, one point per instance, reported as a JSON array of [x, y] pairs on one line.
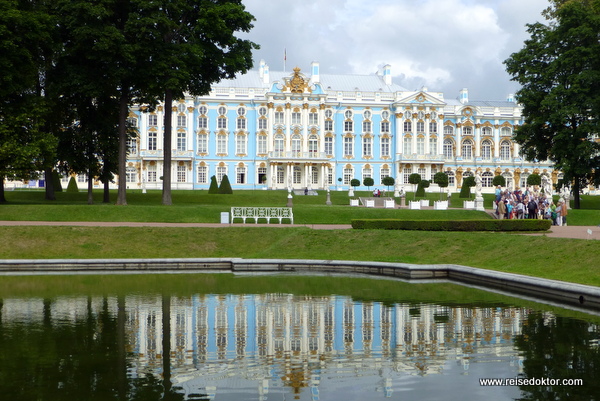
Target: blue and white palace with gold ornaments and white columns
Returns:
[[276, 130]]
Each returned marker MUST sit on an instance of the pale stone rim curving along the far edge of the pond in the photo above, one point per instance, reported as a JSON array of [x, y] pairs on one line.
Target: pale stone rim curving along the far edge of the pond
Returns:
[[579, 295]]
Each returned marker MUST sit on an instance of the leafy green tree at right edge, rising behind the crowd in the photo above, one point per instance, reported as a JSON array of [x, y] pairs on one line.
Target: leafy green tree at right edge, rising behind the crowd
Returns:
[[559, 71]]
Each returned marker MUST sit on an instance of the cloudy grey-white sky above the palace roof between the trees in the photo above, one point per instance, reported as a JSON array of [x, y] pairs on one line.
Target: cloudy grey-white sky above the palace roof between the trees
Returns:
[[445, 45]]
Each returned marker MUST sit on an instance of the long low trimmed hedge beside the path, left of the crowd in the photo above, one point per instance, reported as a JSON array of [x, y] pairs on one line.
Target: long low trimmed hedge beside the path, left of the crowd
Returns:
[[457, 225]]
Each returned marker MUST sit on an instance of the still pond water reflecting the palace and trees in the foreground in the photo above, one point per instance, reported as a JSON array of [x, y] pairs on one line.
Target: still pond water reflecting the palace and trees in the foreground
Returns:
[[187, 345]]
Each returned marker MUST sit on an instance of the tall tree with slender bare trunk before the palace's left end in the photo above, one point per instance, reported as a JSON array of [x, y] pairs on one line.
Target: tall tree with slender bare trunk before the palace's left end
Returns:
[[193, 44]]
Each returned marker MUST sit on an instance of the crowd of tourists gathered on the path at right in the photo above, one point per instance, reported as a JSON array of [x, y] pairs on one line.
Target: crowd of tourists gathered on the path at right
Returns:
[[529, 204]]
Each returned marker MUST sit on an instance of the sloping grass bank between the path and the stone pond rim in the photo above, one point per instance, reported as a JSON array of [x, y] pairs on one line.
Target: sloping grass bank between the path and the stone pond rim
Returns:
[[555, 258]]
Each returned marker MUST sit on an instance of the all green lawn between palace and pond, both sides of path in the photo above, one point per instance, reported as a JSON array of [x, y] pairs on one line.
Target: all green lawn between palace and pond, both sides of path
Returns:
[[556, 258]]
